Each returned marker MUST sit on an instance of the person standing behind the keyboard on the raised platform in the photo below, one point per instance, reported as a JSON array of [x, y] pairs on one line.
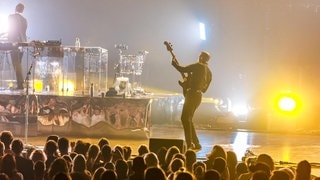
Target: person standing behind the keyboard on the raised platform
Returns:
[[17, 33]]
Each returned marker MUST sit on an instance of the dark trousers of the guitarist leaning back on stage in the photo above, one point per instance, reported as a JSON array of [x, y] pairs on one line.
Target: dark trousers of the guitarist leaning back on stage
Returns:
[[191, 103]]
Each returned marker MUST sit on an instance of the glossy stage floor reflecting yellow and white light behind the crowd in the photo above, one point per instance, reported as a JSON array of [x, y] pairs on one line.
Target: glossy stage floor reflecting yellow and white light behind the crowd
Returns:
[[288, 148]]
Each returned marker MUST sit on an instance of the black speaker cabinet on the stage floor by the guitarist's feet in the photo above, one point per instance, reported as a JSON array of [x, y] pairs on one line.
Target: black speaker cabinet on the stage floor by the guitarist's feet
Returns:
[[156, 143]]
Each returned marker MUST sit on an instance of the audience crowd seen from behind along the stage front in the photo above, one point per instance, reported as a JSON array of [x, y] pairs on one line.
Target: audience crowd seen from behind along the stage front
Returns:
[[64, 160]]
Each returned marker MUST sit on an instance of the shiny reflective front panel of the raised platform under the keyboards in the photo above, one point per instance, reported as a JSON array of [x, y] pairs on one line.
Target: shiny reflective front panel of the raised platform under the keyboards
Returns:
[[88, 116]]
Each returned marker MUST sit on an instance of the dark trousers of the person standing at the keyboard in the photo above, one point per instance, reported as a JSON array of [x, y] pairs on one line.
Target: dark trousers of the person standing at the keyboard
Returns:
[[16, 57]]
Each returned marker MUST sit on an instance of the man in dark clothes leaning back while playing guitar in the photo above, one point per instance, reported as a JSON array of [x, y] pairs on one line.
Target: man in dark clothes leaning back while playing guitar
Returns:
[[197, 82]]
